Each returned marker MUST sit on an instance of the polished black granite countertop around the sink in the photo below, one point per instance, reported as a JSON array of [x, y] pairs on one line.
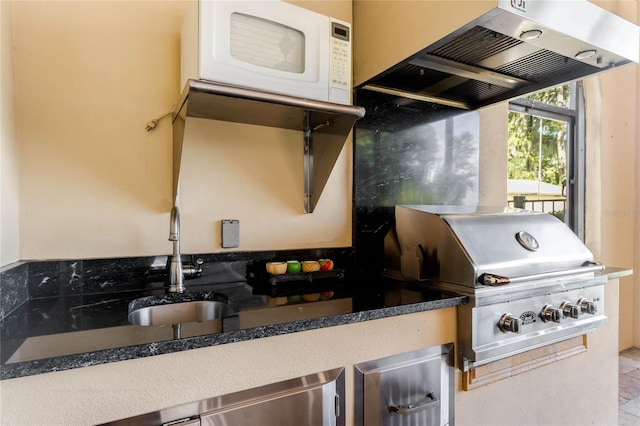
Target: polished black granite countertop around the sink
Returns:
[[71, 331]]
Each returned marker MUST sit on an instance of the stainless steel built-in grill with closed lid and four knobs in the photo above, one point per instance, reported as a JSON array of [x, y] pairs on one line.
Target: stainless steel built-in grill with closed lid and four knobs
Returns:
[[530, 280]]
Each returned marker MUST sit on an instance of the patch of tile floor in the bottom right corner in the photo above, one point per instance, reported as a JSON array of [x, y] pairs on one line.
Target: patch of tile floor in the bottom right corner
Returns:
[[629, 387]]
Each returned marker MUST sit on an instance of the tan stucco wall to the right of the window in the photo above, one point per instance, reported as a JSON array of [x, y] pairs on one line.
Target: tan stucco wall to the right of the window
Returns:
[[613, 183]]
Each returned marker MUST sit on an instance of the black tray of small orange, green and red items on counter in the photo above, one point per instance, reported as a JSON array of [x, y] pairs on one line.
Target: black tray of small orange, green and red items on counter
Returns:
[[296, 281]]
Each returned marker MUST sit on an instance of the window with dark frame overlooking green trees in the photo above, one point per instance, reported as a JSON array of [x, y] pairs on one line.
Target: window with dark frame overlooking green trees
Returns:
[[546, 168]]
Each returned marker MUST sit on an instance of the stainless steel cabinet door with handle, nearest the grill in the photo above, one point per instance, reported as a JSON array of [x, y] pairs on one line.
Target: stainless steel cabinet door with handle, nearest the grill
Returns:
[[413, 388]]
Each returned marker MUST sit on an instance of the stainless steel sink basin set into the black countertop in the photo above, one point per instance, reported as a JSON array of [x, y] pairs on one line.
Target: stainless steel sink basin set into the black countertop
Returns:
[[179, 308]]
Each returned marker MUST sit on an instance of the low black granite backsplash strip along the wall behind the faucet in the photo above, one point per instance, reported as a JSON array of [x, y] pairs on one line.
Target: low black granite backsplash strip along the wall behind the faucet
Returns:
[[47, 279]]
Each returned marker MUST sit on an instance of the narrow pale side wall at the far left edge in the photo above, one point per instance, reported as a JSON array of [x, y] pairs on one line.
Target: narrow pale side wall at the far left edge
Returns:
[[9, 201]]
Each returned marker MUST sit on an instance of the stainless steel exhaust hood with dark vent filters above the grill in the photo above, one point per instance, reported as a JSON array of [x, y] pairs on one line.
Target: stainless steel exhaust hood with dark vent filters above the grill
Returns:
[[516, 47]]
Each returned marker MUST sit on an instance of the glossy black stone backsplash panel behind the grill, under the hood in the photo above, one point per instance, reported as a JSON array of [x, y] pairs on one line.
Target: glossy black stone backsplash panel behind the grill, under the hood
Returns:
[[408, 152]]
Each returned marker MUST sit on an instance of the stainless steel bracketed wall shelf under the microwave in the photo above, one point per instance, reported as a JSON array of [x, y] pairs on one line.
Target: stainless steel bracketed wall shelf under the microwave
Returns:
[[329, 123]]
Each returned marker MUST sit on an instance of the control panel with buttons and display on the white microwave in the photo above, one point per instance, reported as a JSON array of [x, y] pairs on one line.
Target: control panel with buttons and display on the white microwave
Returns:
[[340, 62]]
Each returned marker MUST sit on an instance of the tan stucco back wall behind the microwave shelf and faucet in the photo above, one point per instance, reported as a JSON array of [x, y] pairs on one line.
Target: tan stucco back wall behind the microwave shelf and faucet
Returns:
[[94, 183]]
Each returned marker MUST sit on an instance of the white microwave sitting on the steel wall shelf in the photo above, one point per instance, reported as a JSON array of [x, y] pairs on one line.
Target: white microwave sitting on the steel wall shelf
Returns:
[[268, 45]]
